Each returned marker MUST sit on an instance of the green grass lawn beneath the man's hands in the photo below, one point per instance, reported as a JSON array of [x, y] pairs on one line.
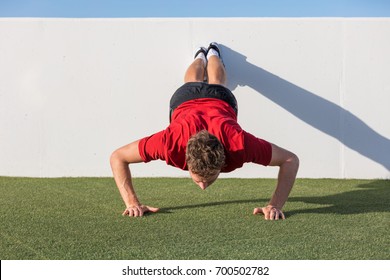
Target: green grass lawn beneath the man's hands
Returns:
[[80, 218]]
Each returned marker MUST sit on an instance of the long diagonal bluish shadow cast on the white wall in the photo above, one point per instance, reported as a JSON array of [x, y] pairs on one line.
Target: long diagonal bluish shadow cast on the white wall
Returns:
[[316, 111]]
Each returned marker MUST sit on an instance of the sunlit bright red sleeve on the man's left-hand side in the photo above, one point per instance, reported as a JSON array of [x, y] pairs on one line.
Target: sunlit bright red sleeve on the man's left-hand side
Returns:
[[152, 147]]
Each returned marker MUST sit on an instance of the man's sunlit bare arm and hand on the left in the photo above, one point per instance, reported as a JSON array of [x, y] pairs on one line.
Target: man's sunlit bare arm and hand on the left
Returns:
[[120, 160]]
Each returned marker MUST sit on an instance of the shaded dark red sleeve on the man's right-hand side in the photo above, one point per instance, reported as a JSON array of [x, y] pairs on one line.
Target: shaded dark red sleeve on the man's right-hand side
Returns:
[[257, 150]]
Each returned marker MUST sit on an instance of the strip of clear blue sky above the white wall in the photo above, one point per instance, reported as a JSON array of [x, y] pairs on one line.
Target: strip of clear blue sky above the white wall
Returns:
[[194, 8]]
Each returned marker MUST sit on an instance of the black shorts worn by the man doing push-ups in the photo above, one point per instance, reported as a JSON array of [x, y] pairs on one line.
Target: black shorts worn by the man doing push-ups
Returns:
[[195, 90]]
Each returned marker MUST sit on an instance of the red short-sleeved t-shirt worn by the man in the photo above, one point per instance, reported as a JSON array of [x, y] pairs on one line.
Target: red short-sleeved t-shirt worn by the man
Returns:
[[219, 119]]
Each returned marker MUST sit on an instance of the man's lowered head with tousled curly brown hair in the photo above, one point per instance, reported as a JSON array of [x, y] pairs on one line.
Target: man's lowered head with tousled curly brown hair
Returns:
[[205, 158]]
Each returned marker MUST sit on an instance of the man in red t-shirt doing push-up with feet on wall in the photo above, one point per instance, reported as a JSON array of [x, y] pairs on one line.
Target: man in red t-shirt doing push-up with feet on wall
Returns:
[[204, 138]]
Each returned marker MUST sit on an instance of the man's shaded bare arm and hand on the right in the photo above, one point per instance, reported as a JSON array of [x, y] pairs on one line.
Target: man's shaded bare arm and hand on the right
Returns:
[[288, 167]]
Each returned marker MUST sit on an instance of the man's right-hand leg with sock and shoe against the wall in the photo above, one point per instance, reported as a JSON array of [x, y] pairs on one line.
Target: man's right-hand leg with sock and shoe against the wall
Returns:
[[215, 68]]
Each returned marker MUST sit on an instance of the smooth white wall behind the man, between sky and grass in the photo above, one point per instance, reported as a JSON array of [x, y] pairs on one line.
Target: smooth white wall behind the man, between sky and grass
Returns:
[[73, 90]]
